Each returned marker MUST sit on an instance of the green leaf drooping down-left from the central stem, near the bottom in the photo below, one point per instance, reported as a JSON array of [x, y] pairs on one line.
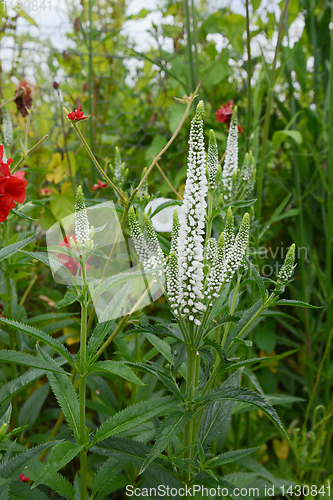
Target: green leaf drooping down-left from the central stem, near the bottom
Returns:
[[169, 428]]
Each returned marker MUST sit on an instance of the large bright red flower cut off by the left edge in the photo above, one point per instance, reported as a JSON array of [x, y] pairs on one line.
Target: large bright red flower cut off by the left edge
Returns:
[[12, 187]]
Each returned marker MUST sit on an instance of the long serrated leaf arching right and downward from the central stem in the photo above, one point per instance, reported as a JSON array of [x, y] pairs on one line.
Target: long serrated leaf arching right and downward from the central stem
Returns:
[[244, 395]]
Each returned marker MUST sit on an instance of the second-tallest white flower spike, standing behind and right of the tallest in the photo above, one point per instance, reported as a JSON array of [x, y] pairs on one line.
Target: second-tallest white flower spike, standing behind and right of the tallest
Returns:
[[231, 156]]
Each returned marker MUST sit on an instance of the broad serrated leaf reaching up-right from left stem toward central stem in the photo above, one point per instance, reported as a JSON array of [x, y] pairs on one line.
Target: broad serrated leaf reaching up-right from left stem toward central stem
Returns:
[[132, 416]]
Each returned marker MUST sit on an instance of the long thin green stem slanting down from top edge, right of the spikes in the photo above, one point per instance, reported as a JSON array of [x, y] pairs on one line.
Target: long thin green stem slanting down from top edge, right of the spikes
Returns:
[[268, 117]]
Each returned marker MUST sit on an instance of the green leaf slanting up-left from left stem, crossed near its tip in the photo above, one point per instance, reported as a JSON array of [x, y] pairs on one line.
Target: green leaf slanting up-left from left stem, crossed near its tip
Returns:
[[65, 394]]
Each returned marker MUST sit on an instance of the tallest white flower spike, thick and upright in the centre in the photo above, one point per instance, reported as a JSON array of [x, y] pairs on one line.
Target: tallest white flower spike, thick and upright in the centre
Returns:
[[192, 222]]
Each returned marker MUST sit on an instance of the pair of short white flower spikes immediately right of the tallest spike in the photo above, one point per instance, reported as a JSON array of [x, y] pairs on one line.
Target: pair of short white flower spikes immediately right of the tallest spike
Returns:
[[229, 256]]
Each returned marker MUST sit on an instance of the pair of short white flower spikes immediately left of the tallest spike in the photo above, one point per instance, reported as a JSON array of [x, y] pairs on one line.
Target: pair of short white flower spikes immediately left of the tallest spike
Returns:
[[146, 246]]
